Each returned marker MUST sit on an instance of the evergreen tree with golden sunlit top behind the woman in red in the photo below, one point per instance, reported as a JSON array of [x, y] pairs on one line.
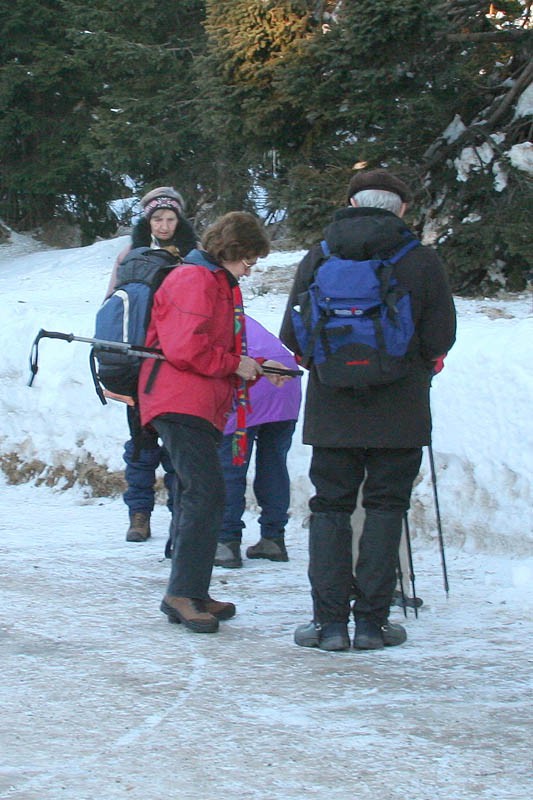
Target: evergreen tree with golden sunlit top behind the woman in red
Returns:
[[246, 118]]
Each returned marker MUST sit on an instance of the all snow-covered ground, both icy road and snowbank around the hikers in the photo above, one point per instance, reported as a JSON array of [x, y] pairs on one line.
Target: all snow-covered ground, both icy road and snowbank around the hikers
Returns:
[[102, 699]]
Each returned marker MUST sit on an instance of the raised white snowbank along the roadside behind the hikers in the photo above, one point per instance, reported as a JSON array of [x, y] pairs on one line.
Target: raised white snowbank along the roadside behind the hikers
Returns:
[[58, 431]]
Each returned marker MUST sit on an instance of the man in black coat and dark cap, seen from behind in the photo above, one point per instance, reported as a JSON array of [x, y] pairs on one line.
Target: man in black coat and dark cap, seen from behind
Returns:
[[370, 438]]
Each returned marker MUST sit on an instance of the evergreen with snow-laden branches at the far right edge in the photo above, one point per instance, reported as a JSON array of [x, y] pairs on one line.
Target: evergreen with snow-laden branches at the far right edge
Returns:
[[479, 192]]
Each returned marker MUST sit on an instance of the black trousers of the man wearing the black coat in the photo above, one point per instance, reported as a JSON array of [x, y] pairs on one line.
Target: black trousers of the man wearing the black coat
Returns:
[[386, 477]]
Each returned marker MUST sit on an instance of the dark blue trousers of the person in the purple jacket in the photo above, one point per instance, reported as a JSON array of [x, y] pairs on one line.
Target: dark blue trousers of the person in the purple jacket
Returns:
[[271, 484]]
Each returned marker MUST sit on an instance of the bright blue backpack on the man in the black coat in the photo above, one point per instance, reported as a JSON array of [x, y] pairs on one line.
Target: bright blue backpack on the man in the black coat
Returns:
[[354, 323]]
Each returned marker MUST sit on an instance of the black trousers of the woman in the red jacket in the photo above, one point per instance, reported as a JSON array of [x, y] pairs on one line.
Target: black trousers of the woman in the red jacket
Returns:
[[200, 507]]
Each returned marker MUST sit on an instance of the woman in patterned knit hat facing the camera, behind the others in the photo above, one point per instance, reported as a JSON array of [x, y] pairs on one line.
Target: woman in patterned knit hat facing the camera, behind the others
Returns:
[[162, 225]]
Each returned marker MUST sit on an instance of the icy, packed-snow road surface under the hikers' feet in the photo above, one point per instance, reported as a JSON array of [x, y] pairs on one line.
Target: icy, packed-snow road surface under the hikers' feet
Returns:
[[102, 699]]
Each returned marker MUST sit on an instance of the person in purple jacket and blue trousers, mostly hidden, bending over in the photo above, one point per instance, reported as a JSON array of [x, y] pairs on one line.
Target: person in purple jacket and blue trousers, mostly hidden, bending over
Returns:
[[270, 426]]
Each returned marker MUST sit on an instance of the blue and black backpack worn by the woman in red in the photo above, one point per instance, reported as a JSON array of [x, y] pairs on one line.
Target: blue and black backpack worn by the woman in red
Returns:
[[125, 315]]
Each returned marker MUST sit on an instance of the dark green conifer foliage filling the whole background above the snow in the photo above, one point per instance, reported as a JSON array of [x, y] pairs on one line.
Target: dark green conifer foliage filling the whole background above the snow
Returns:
[[256, 104]]
